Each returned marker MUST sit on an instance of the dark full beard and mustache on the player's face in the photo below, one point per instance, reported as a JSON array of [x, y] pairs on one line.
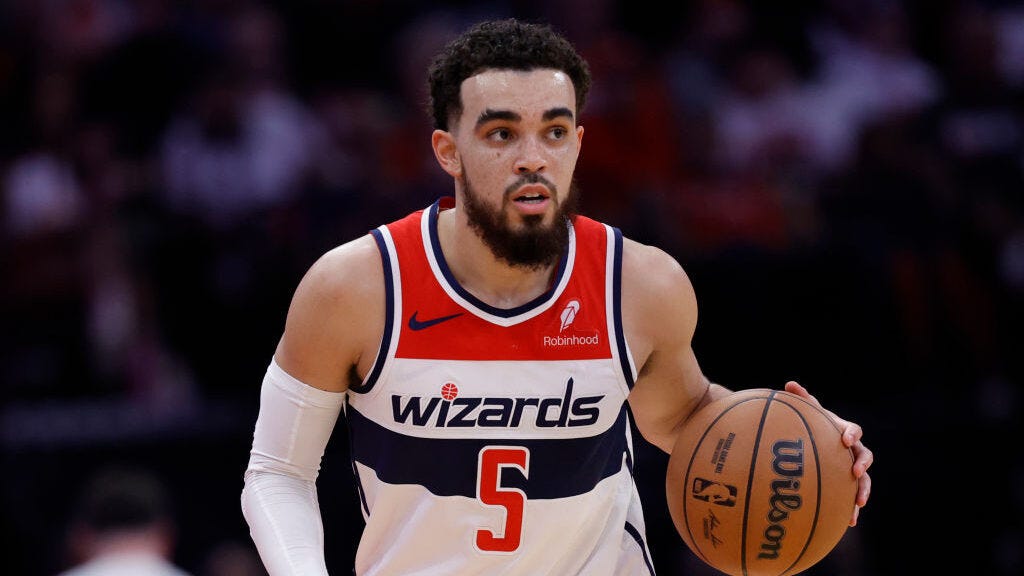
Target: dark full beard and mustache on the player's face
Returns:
[[533, 246]]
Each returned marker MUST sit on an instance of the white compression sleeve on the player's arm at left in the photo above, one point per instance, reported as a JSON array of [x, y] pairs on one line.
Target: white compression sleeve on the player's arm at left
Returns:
[[279, 500]]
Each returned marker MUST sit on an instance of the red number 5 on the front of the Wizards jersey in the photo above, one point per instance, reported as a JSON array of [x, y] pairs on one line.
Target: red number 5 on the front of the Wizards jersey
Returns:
[[490, 492]]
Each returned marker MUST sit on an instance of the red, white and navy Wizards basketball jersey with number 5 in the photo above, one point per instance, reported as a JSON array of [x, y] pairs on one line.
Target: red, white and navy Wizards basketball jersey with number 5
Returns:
[[491, 441]]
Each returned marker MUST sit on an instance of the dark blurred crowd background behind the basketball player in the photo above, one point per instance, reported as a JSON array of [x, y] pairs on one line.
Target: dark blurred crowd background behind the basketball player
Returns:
[[843, 181]]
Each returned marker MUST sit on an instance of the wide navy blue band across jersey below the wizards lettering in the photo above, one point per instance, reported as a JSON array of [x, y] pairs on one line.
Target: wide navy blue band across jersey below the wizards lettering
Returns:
[[560, 468]]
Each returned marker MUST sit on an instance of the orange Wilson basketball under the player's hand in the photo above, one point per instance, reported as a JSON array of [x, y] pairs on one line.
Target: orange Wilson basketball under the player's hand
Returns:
[[759, 483]]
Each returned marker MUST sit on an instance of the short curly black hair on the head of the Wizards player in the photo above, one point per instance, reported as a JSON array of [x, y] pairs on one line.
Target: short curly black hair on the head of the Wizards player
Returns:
[[505, 45]]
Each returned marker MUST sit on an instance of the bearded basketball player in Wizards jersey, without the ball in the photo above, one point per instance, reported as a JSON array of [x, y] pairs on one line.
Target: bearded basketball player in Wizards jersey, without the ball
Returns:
[[485, 351]]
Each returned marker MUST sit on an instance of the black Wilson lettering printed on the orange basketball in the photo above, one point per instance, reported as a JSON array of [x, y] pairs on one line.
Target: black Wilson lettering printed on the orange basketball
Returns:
[[788, 462]]
